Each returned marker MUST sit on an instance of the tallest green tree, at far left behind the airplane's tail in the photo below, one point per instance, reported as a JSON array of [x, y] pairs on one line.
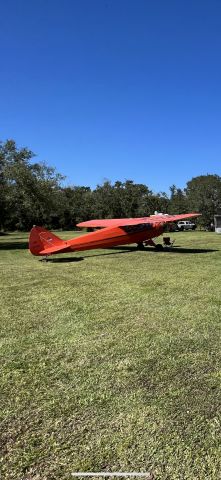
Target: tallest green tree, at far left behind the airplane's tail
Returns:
[[31, 192]]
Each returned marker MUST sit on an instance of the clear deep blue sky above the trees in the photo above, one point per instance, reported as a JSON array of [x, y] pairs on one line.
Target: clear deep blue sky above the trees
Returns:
[[115, 89]]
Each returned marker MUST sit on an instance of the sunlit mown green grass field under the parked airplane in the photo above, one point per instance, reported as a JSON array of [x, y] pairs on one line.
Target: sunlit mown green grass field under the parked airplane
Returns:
[[110, 360]]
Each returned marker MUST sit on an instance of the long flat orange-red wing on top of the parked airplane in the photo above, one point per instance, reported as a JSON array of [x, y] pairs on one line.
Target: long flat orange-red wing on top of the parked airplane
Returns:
[[121, 222]]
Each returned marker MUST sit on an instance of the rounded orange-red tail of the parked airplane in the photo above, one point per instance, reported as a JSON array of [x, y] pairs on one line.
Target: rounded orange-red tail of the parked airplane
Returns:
[[43, 242]]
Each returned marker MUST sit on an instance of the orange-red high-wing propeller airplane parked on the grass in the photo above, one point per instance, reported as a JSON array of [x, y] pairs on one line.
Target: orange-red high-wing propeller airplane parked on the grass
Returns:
[[112, 232]]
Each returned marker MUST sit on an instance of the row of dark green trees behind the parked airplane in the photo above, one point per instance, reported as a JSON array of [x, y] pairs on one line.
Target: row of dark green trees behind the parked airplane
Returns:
[[33, 193]]
